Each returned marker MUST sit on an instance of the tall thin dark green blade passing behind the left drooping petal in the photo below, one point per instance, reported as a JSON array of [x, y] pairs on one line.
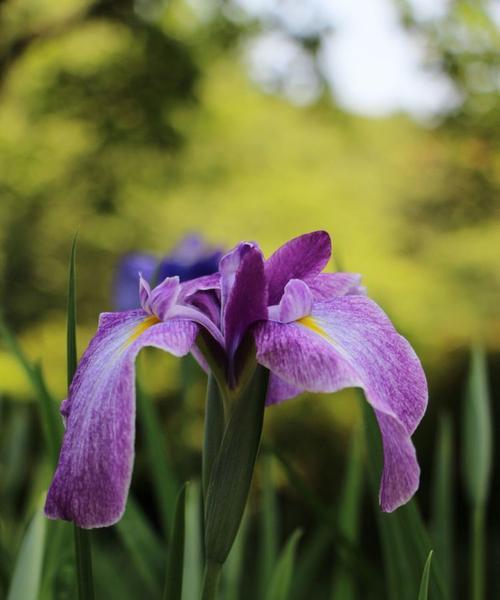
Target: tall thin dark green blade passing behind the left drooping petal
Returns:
[[82, 537]]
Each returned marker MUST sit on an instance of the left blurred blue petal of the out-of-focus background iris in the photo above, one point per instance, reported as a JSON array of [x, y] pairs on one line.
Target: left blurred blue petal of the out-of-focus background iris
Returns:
[[125, 292]]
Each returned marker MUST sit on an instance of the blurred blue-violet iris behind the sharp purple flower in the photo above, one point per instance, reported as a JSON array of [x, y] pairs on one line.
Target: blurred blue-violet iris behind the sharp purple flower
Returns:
[[191, 258]]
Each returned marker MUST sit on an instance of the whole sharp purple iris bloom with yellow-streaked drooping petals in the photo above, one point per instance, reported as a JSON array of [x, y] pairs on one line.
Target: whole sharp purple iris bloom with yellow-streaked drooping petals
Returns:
[[314, 331]]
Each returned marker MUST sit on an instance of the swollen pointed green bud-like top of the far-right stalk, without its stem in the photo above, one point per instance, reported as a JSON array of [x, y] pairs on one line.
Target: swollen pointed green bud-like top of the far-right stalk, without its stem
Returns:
[[477, 431]]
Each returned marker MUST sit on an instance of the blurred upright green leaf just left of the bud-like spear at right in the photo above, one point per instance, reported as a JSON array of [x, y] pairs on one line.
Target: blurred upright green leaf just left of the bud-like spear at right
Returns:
[[442, 503]]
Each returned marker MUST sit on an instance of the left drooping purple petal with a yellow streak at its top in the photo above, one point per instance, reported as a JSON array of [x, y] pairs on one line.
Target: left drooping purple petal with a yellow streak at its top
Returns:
[[93, 475]]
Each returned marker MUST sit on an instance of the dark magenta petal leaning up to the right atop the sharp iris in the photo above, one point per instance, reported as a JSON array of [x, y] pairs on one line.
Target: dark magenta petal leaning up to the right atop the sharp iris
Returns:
[[304, 257]]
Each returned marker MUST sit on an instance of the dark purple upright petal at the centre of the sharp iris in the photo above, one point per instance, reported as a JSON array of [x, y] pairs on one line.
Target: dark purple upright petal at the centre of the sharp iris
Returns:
[[243, 292]]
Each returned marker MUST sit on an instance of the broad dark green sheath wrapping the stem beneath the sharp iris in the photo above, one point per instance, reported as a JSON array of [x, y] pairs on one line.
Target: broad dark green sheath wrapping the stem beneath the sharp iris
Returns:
[[233, 468]]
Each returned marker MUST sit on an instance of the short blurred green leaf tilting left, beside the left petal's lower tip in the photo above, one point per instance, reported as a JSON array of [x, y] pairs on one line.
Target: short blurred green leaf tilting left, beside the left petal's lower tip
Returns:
[[144, 548]]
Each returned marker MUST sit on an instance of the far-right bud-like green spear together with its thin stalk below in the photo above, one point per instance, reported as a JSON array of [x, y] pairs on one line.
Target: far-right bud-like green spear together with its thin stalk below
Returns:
[[477, 464]]
